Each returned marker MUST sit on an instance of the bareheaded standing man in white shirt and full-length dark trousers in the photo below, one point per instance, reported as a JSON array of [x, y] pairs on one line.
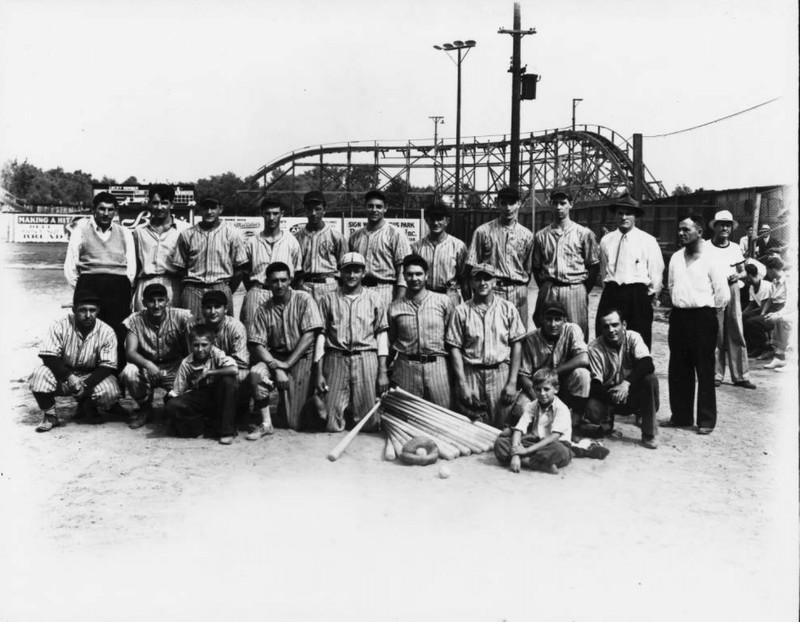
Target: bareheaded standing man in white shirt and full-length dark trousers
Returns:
[[699, 288]]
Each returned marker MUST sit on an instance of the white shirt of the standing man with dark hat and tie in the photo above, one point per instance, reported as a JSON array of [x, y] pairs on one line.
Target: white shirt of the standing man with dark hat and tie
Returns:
[[633, 257]]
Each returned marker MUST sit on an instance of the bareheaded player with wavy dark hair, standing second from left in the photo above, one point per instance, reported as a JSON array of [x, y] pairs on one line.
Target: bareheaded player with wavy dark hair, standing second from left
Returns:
[[156, 241]]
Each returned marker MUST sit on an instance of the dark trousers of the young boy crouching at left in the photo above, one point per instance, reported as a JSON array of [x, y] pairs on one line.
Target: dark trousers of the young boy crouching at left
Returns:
[[209, 410]]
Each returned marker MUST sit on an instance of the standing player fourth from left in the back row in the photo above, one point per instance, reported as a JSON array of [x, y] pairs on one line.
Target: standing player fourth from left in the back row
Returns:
[[263, 249]]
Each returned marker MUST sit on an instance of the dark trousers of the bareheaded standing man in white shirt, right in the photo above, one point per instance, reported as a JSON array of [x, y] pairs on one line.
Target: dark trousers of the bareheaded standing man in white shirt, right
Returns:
[[692, 340]]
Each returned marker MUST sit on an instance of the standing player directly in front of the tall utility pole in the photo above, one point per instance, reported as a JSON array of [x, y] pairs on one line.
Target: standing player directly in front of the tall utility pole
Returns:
[[506, 245]]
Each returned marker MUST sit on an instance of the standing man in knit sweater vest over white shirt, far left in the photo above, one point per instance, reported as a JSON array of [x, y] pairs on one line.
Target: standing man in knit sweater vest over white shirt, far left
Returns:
[[101, 257]]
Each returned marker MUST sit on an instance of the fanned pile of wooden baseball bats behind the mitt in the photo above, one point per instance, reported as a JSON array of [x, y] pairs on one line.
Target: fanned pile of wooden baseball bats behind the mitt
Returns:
[[406, 415]]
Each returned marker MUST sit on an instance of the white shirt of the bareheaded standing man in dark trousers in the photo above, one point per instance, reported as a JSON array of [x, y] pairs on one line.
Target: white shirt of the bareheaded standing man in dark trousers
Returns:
[[702, 283]]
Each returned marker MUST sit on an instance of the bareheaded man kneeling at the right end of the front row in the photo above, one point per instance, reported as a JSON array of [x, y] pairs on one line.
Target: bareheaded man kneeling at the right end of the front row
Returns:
[[623, 378]]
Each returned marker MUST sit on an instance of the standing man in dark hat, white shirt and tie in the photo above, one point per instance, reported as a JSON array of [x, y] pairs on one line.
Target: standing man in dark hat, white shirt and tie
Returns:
[[631, 268]]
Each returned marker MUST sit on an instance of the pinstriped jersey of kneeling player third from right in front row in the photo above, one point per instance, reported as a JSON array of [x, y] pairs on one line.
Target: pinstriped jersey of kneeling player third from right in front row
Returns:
[[485, 335]]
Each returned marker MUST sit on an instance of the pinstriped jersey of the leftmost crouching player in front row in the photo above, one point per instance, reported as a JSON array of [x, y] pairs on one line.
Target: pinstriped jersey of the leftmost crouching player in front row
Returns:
[[97, 349]]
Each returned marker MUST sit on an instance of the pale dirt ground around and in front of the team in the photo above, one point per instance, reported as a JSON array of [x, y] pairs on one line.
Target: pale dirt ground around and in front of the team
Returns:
[[102, 522]]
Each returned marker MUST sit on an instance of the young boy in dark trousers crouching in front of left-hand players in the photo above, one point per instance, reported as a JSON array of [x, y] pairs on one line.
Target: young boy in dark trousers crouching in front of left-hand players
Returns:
[[203, 396]]
